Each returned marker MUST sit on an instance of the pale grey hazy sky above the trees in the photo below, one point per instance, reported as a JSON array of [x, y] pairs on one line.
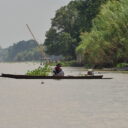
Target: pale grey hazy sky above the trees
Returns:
[[15, 14]]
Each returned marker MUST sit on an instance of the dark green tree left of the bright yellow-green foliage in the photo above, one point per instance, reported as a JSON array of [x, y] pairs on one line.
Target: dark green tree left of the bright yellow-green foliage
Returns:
[[67, 25]]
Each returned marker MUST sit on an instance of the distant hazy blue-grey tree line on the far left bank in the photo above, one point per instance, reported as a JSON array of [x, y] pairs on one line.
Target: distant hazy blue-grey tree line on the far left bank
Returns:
[[21, 51]]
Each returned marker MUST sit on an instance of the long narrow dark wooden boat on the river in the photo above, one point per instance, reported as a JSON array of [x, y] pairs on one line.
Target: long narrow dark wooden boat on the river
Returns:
[[52, 77]]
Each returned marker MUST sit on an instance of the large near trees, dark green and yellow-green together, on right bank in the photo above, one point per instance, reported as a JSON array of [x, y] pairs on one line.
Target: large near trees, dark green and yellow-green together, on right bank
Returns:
[[95, 34]]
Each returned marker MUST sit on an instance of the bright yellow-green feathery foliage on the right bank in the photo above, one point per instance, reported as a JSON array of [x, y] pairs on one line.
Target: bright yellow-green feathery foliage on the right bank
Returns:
[[107, 43]]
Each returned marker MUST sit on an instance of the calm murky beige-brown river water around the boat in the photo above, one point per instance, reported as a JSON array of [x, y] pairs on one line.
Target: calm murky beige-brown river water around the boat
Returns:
[[85, 103]]
